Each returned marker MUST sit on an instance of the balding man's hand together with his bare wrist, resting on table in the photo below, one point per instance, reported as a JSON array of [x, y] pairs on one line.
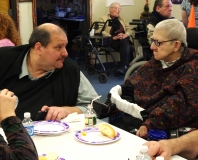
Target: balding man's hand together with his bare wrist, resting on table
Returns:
[[57, 113]]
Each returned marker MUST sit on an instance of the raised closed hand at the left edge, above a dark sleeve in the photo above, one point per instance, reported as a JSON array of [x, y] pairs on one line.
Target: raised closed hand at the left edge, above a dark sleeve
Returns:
[[7, 104]]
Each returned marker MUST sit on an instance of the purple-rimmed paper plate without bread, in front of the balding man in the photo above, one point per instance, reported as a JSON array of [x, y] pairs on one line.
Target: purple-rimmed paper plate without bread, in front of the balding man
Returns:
[[50, 127]]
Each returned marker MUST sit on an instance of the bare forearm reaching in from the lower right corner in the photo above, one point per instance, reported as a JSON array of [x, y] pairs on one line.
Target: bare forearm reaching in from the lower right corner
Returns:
[[185, 146]]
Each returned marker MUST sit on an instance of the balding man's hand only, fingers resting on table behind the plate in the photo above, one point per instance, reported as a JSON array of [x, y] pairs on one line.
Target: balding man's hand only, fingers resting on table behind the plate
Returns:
[[55, 113]]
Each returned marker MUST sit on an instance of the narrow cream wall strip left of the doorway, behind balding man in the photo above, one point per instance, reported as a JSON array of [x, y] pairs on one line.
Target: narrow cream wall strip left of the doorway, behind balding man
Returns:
[[25, 21]]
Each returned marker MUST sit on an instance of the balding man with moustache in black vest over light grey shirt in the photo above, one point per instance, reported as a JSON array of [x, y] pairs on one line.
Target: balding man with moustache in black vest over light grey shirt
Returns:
[[43, 76]]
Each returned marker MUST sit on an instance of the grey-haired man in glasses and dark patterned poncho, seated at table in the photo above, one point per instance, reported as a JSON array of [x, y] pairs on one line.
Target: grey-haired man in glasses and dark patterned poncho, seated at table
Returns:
[[166, 87]]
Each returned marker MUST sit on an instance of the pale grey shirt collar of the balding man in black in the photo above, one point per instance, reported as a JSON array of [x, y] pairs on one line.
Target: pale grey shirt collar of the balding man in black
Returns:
[[24, 70]]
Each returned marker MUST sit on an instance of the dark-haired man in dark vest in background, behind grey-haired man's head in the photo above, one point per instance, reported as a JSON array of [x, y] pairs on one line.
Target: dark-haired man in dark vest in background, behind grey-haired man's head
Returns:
[[162, 10]]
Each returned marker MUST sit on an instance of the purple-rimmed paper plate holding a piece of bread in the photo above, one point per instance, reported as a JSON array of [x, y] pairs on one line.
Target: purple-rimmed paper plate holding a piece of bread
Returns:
[[93, 136]]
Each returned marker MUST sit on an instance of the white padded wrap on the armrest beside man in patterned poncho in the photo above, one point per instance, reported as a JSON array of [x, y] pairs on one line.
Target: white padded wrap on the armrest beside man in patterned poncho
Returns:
[[123, 105]]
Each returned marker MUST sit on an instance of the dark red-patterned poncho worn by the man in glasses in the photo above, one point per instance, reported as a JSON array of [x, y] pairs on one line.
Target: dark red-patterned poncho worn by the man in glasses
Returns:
[[170, 94]]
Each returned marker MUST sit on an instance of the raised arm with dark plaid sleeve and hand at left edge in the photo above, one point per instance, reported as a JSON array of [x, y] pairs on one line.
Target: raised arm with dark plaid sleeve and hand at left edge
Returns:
[[20, 144]]
